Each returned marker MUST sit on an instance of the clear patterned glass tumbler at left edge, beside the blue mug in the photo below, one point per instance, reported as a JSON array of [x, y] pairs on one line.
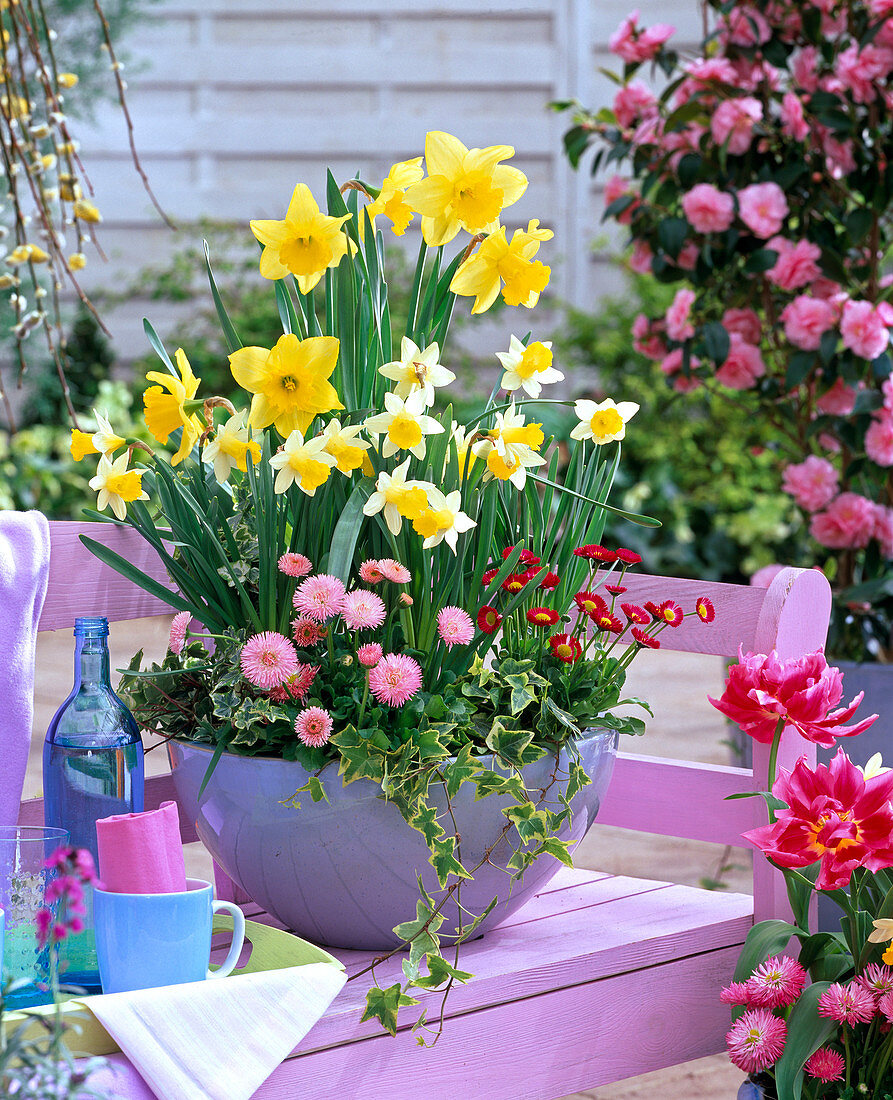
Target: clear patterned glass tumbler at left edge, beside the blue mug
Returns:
[[24, 881]]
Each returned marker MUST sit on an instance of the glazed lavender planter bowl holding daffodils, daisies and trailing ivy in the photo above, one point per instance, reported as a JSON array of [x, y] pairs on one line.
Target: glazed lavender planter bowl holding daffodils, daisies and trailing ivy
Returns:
[[345, 873]]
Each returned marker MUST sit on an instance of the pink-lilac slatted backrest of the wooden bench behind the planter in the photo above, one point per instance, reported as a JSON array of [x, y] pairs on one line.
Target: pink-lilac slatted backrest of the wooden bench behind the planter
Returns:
[[649, 795]]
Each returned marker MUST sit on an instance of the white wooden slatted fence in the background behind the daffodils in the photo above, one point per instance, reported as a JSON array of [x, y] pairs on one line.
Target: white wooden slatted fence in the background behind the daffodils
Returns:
[[236, 101]]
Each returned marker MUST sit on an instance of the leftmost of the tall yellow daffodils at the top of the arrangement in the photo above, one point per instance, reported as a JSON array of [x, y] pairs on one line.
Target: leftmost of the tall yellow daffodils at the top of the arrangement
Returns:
[[305, 244]]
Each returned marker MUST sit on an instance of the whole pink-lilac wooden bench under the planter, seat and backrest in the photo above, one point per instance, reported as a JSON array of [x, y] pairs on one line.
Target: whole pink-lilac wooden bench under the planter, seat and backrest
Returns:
[[600, 977]]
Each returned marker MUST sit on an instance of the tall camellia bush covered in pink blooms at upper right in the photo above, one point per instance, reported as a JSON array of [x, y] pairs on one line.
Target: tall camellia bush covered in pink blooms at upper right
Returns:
[[754, 175]]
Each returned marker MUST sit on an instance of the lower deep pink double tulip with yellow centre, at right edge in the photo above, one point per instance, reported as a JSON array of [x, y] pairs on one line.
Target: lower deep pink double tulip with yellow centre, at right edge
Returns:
[[834, 816]]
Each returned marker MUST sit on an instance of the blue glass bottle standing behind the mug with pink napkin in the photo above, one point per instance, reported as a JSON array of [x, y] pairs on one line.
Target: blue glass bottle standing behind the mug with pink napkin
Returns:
[[93, 767]]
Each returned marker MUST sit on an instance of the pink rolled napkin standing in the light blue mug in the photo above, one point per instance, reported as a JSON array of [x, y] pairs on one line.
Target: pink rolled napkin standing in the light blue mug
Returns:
[[142, 853]]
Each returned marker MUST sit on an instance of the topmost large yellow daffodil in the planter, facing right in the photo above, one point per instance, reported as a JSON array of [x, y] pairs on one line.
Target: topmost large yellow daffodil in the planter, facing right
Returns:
[[467, 189]]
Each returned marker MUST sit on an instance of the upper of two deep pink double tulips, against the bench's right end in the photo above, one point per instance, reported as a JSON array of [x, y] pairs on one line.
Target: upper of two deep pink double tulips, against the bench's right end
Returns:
[[762, 689]]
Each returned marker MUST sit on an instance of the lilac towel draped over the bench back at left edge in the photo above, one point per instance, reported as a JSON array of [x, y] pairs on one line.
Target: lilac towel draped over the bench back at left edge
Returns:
[[25, 568]]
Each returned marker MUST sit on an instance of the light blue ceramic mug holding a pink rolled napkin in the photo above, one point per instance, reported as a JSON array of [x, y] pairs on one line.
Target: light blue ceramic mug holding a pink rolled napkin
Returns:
[[144, 941]]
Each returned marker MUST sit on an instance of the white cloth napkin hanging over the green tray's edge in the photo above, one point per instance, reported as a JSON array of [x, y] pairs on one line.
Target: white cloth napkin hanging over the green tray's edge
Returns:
[[218, 1040]]
